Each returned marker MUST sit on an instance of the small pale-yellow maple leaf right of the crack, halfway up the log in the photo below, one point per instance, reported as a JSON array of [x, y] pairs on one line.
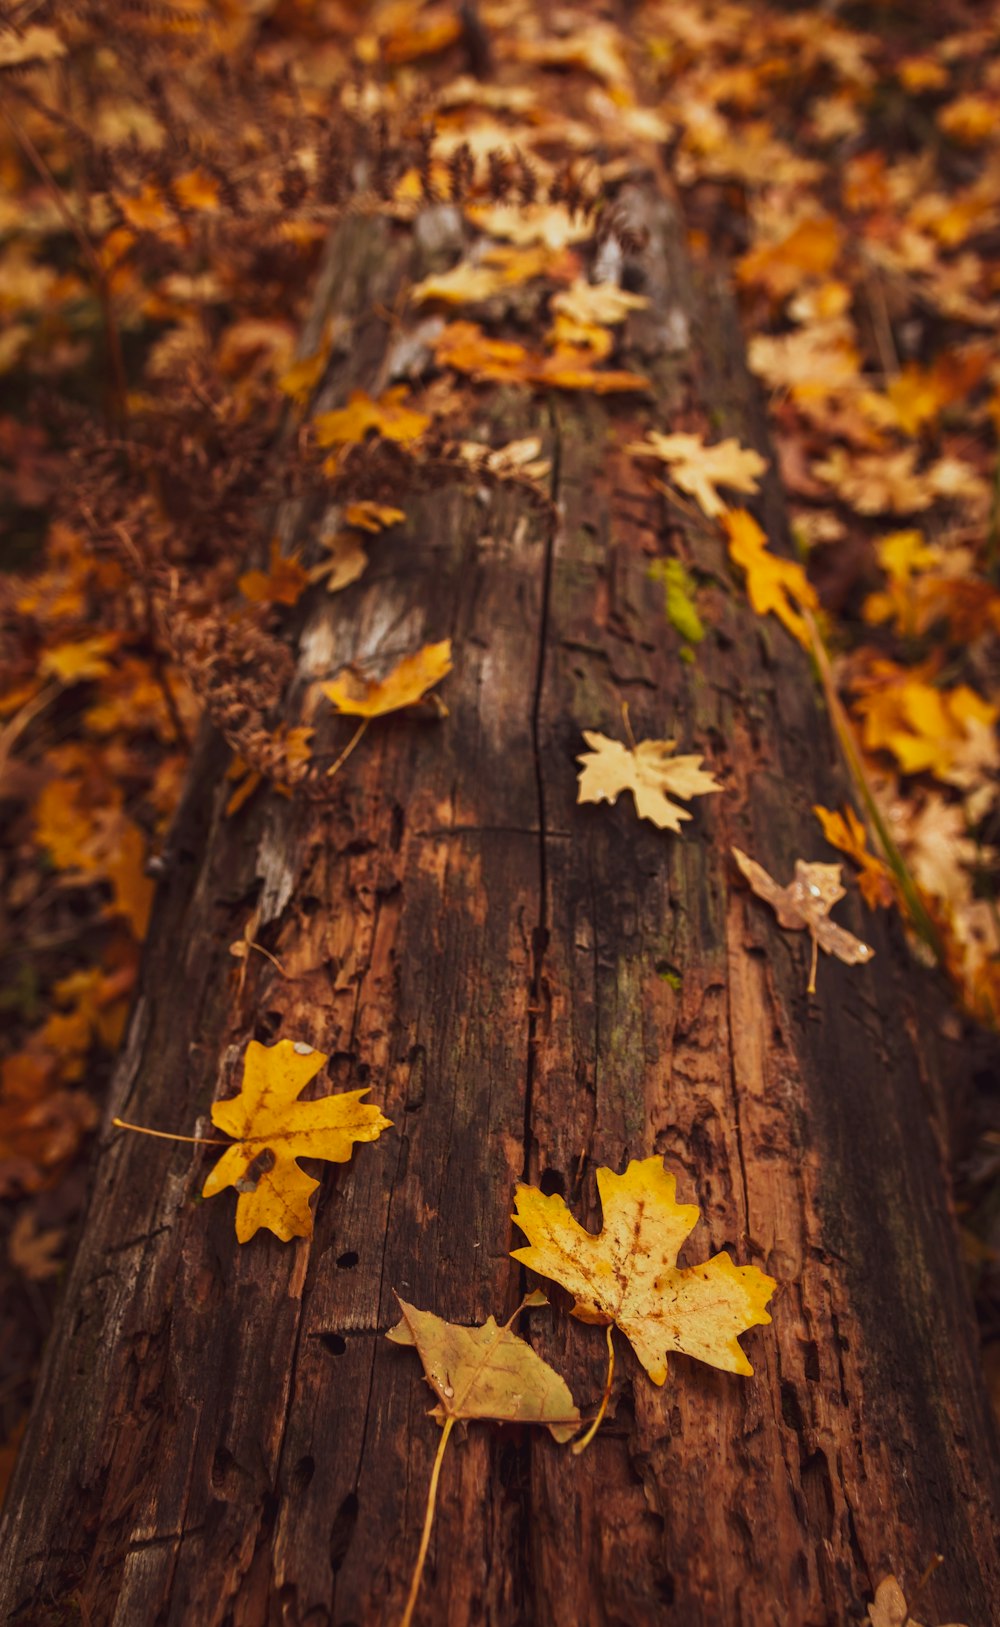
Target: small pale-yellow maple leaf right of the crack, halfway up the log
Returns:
[[650, 770]]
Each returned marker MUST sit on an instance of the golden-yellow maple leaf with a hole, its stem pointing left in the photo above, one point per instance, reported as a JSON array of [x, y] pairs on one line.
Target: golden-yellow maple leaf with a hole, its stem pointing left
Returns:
[[267, 1119]]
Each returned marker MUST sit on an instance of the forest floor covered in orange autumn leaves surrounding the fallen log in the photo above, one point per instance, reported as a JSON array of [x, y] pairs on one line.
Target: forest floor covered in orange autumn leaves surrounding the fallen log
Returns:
[[170, 185]]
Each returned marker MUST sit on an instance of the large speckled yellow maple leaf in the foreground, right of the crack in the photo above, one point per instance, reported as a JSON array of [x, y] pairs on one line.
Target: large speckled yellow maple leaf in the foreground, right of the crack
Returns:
[[628, 1276]]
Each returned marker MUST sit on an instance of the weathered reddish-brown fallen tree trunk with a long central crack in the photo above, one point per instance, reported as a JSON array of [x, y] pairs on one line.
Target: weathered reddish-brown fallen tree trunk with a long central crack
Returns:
[[224, 1434]]
